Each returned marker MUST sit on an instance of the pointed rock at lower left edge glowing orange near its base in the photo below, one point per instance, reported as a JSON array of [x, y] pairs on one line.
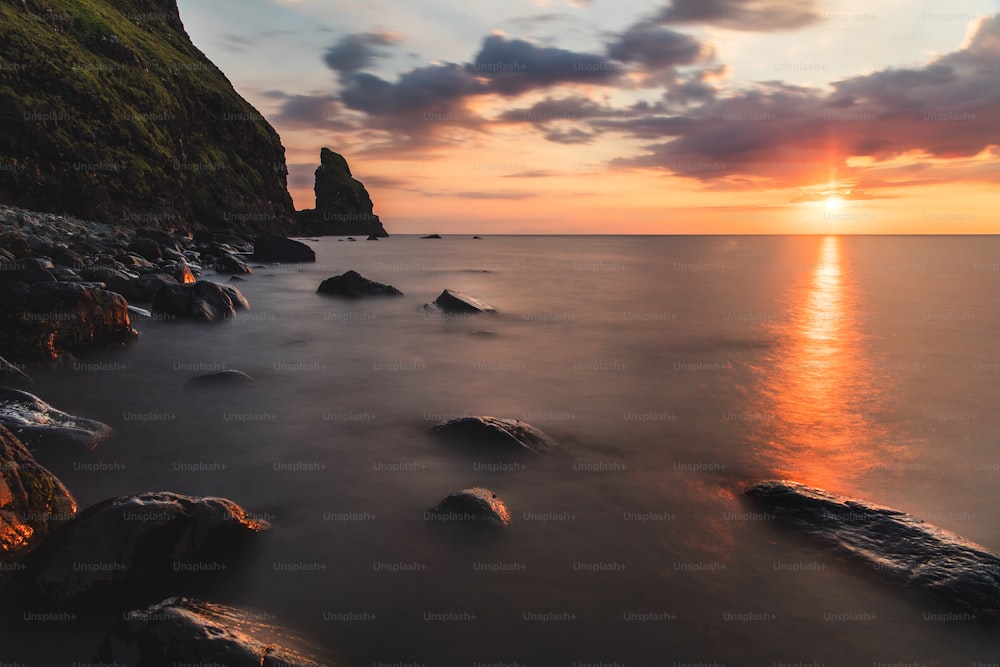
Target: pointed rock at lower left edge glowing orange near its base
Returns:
[[32, 500]]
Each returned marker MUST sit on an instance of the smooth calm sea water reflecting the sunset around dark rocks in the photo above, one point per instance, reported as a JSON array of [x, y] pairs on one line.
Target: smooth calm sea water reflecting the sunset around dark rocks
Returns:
[[674, 370]]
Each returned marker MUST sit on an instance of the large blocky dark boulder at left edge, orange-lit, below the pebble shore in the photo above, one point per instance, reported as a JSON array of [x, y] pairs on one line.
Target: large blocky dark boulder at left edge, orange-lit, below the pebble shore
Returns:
[[40, 321]]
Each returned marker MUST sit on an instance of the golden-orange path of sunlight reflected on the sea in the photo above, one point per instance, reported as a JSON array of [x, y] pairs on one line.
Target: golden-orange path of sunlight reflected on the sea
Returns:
[[819, 392]]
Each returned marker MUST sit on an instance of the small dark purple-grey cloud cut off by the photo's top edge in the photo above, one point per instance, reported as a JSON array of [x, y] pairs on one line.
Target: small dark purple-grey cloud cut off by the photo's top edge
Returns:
[[750, 15]]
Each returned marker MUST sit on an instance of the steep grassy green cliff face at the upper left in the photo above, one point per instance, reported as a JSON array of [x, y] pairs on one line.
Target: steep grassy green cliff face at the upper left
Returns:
[[109, 112]]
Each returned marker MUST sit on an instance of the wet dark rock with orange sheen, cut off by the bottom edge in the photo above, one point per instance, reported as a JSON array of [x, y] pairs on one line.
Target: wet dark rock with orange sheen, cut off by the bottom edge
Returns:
[[185, 631]]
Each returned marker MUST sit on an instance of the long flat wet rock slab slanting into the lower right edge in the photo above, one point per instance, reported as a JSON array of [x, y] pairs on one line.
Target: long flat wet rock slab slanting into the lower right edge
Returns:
[[899, 546]]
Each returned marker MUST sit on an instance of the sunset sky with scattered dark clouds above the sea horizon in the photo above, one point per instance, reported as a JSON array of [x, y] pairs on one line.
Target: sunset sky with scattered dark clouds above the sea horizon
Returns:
[[612, 117]]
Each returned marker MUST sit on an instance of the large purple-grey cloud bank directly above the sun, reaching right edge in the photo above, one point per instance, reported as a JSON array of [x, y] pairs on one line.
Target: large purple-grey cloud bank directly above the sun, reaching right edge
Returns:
[[786, 135]]
